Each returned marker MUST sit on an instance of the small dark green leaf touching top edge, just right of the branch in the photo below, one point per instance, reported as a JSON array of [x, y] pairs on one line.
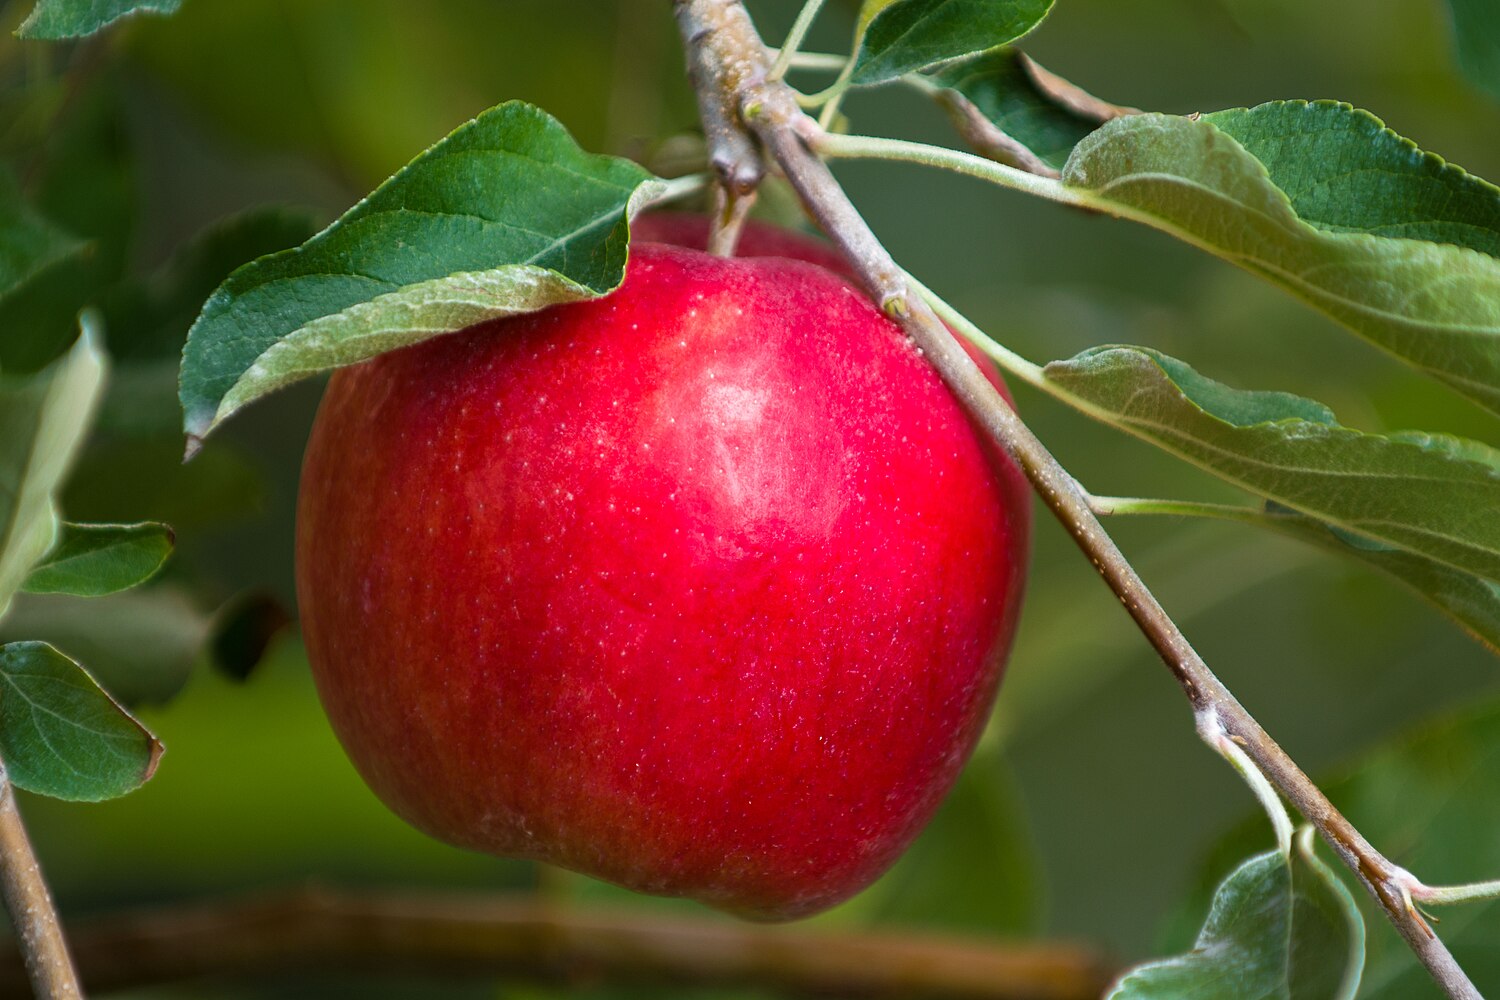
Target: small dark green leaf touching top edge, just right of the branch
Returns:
[[899, 37]]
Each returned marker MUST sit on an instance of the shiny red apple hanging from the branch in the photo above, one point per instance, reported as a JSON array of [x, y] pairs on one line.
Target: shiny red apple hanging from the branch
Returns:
[[703, 588]]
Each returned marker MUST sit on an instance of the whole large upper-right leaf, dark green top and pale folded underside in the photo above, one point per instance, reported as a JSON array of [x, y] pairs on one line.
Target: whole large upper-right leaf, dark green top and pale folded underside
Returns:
[[1327, 203]]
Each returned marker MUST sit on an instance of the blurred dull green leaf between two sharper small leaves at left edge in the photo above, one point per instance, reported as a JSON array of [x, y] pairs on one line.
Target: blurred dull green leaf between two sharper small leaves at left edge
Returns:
[[140, 645]]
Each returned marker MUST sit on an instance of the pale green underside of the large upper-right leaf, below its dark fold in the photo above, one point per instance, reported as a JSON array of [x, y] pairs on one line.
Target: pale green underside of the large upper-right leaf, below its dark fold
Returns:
[[1436, 307]]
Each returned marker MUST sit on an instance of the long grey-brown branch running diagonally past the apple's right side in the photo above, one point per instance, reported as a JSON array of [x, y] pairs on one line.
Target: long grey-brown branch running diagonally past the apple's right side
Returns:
[[728, 61]]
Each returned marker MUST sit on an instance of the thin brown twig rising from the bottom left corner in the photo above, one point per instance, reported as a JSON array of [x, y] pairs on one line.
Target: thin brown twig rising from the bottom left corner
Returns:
[[40, 938]]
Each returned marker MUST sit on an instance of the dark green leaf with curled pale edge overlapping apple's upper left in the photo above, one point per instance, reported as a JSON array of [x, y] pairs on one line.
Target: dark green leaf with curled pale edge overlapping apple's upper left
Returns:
[[506, 215]]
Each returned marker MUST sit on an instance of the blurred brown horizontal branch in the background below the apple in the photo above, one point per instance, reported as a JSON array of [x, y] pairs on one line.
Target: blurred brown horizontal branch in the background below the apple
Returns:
[[529, 939]]
